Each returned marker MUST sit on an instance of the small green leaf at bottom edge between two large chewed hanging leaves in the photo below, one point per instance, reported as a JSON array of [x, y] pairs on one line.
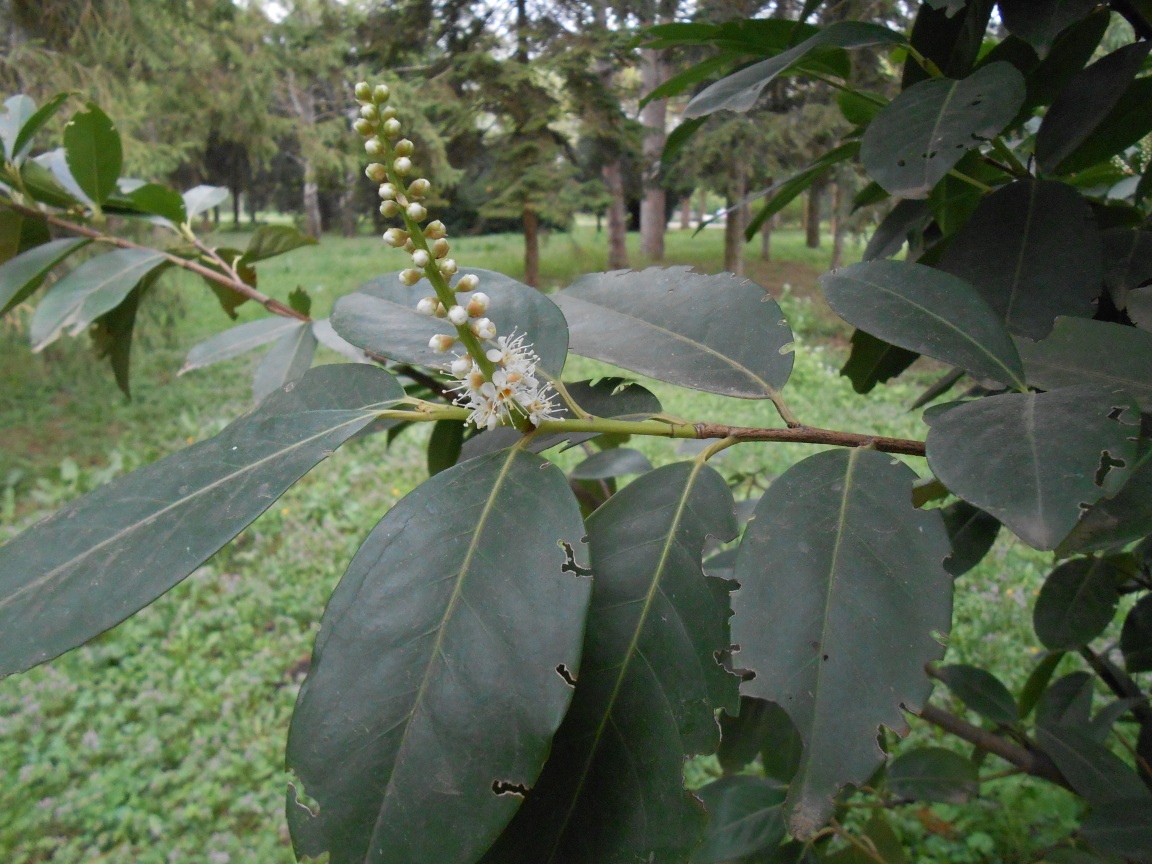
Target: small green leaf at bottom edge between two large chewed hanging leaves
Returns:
[[745, 817]]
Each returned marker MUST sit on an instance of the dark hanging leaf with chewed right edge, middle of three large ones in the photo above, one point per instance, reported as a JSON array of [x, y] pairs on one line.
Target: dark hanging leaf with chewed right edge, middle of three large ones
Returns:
[[613, 786]]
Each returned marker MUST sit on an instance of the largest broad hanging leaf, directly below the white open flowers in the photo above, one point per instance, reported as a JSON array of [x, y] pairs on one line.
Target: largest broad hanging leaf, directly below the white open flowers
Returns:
[[443, 668]]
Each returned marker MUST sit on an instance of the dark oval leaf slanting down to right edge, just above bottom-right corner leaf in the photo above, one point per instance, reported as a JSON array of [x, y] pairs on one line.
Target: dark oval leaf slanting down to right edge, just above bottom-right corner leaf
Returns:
[[1094, 771]]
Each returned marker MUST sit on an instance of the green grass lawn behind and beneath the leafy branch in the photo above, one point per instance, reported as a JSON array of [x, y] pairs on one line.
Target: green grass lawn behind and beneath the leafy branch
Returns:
[[163, 741]]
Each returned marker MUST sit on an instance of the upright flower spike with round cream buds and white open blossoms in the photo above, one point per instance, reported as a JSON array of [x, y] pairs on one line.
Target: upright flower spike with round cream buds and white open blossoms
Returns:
[[512, 390]]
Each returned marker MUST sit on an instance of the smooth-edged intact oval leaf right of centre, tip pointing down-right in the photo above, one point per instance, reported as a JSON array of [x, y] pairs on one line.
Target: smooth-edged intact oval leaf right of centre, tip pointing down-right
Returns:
[[928, 312]]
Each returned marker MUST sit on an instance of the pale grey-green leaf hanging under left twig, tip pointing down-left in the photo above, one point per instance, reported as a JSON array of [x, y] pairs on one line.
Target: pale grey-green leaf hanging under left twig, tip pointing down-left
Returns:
[[97, 286]]
